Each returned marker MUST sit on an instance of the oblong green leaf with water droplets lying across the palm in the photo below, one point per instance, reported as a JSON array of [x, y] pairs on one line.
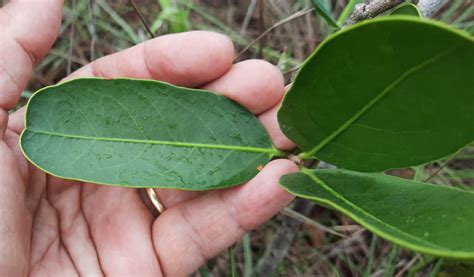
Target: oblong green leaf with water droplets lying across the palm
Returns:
[[143, 133]]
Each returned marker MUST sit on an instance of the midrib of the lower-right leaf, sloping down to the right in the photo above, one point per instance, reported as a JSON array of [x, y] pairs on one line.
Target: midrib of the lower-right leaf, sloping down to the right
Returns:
[[326, 187]]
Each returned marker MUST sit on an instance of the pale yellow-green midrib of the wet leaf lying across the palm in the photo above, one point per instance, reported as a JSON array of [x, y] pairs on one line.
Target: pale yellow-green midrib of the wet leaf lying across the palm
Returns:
[[271, 151]]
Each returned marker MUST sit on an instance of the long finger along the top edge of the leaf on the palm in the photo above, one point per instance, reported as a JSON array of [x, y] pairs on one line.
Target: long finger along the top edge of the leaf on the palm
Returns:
[[187, 59]]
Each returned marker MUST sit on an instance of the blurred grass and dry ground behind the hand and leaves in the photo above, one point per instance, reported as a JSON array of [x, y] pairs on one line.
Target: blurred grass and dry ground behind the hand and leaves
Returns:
[[304, 239]]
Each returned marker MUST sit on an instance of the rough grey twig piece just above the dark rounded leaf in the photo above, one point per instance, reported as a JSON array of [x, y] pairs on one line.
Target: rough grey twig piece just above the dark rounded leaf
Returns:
[[369, 9]]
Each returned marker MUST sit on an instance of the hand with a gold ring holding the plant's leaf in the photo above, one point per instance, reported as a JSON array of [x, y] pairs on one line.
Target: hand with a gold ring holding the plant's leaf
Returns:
[[56, 227]]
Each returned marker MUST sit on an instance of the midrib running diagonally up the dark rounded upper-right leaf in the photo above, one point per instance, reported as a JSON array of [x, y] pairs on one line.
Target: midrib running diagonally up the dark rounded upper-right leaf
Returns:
[[376, 99]]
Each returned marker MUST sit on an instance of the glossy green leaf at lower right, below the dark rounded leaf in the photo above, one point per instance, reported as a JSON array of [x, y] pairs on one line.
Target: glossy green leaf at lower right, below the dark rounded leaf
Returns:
[[432, 219]]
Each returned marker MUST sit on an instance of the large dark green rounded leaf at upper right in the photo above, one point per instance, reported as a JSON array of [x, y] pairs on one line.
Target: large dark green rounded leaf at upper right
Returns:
[[386, 93]]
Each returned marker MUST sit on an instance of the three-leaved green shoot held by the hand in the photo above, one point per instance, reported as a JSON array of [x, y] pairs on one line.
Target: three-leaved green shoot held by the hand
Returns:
[[392, 92]]
